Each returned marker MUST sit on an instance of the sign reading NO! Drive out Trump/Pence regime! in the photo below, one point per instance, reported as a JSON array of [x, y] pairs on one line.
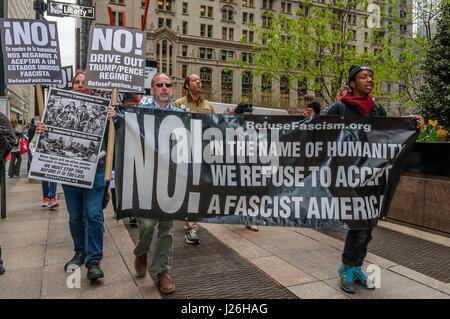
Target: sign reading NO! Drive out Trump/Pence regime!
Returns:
[[116, 59]]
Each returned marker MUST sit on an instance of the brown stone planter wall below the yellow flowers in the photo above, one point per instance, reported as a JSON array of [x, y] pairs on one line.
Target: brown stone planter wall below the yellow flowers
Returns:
[[422, 197]]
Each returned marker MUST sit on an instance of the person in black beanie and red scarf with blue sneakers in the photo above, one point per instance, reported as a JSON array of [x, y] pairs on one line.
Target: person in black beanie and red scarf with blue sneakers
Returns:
[[358, 101]]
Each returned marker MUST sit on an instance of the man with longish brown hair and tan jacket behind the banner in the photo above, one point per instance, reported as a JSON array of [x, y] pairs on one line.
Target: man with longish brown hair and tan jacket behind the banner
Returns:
[[193, 102]]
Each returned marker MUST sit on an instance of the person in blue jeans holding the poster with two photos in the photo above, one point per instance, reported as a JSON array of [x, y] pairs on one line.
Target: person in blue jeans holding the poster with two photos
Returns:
[[85, 207]]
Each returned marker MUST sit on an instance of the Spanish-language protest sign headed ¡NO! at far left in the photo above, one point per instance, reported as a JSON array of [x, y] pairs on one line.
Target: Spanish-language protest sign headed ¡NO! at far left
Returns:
[[30, 52]]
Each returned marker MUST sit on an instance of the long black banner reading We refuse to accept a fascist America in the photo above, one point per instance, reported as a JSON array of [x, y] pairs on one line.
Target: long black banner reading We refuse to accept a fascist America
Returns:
[[329, 172]]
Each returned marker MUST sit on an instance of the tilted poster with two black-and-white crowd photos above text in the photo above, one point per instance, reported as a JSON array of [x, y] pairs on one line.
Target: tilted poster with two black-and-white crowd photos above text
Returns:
[[68, 151]]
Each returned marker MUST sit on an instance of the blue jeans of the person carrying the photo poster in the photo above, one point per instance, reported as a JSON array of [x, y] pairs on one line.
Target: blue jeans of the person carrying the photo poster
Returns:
[[86, 218]]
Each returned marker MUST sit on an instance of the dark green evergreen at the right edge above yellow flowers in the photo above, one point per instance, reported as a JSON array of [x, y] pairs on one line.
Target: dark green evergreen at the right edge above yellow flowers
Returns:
[[434, 99]]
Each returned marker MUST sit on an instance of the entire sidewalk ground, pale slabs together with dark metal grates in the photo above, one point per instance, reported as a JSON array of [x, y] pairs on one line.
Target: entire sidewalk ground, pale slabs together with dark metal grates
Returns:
[[230, 262]]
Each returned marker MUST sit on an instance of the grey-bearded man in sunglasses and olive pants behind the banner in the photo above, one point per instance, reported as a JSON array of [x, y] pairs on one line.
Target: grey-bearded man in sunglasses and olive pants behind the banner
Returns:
[[161, 90]]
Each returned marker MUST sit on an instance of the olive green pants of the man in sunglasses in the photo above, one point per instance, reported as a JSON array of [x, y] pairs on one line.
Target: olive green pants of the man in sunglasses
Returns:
[[162, 258]]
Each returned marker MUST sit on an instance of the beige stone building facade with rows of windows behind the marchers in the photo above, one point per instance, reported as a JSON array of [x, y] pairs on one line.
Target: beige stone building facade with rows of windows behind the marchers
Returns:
[[186, 37]]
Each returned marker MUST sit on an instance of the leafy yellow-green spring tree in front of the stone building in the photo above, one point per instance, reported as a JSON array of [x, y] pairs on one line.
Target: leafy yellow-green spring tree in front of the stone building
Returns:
[[318, 46]]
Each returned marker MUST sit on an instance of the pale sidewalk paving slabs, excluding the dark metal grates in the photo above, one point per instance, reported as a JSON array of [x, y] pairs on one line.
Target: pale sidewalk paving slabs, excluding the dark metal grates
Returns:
[[36, 243]]
